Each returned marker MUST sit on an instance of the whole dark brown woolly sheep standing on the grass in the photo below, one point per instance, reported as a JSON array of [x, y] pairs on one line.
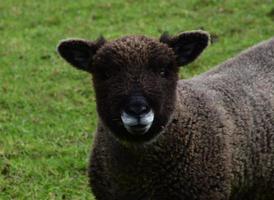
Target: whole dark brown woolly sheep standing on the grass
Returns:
[[158, 137]]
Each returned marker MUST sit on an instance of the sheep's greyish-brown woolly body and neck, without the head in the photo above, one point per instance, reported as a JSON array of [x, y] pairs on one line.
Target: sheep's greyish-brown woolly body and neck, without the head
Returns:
[[219, 143]]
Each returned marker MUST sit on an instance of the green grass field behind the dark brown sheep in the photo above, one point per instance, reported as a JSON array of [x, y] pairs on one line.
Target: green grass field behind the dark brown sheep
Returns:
[[47, 109]]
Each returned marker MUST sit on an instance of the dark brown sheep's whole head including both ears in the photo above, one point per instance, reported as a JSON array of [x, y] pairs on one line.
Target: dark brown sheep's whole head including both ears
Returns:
[[135, 78]]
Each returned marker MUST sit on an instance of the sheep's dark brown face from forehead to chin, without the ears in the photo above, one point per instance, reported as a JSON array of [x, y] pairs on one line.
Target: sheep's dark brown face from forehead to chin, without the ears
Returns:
[[135, 80]]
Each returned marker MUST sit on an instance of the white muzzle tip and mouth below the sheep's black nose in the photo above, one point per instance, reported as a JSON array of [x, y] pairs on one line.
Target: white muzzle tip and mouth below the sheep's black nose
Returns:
[[137, 125]]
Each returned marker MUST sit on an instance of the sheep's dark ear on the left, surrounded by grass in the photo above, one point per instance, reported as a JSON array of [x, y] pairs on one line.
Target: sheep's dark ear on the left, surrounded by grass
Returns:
[[79, 53]]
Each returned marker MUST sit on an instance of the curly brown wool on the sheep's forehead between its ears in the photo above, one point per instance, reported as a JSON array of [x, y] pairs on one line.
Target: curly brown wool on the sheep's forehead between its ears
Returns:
[[133, 50]]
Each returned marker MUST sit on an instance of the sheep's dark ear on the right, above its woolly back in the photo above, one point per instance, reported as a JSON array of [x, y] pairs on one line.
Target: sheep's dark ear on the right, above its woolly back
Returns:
[[187, 45]]
